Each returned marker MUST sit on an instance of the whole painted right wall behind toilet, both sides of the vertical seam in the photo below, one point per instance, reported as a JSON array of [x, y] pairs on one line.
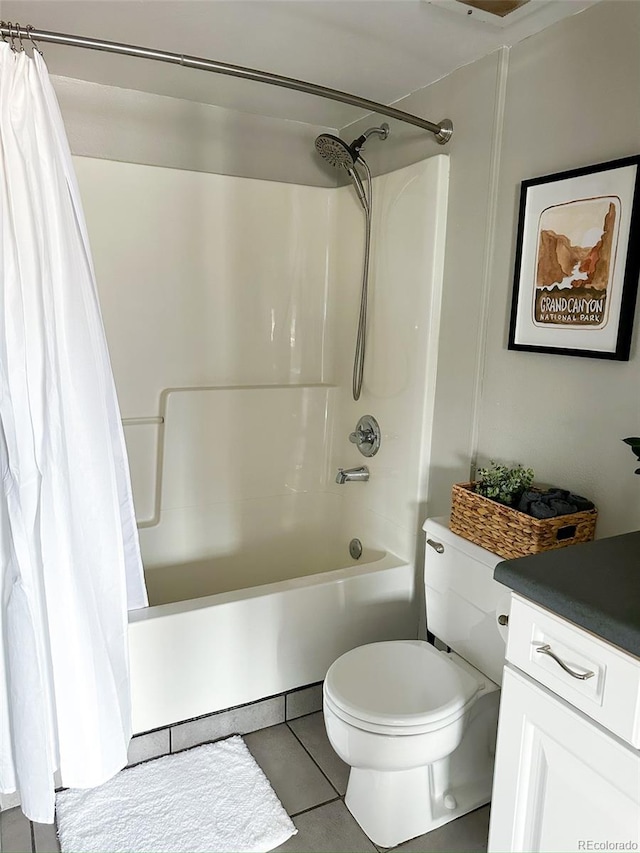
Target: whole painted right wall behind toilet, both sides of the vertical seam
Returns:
[[564, 98]]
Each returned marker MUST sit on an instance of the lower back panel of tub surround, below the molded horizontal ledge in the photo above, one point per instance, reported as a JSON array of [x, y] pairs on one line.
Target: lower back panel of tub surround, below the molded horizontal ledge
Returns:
[[237, 468]]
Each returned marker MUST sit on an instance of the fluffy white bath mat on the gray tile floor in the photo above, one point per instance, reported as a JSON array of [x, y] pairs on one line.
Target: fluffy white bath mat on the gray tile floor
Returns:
[[211, 798]]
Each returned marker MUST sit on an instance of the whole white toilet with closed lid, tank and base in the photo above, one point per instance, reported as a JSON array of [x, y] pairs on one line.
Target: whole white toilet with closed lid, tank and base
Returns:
[[416, 725]]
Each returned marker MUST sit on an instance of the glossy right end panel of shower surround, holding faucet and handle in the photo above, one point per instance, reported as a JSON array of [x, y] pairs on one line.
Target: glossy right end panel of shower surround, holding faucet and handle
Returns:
[[405, 289]]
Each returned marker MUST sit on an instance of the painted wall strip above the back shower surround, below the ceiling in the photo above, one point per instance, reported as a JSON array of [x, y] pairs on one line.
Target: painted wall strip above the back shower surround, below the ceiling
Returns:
[[138, 127]]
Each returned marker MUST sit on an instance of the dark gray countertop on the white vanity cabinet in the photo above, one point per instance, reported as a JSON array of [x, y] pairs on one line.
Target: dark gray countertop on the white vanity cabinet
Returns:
[[595, 585]]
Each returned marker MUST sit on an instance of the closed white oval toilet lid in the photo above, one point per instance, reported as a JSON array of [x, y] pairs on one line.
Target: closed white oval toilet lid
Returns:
[[399, 683]]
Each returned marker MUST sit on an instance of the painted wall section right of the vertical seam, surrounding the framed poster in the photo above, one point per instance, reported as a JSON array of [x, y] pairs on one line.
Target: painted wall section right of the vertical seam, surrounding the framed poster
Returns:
[[572, 99]]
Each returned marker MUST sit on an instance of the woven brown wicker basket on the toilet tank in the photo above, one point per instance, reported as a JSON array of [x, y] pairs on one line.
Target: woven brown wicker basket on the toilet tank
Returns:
[[510, 533]]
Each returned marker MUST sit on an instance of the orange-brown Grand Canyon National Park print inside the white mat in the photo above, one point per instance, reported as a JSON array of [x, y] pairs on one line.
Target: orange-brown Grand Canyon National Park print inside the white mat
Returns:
[[575, 255]]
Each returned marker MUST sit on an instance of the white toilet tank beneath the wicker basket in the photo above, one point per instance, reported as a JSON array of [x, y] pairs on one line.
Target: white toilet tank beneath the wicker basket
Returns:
[[463, 600]]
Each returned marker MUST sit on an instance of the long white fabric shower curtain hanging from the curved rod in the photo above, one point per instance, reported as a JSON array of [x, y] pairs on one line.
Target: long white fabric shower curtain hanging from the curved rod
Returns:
[[70, 563]]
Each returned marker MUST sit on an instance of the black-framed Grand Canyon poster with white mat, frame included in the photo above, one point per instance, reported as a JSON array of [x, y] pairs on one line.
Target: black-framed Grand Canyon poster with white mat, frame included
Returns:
[[578, 261]]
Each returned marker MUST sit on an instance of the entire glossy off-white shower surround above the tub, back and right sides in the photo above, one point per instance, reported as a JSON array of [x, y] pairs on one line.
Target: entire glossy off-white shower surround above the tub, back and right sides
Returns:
[[210, 282]]
